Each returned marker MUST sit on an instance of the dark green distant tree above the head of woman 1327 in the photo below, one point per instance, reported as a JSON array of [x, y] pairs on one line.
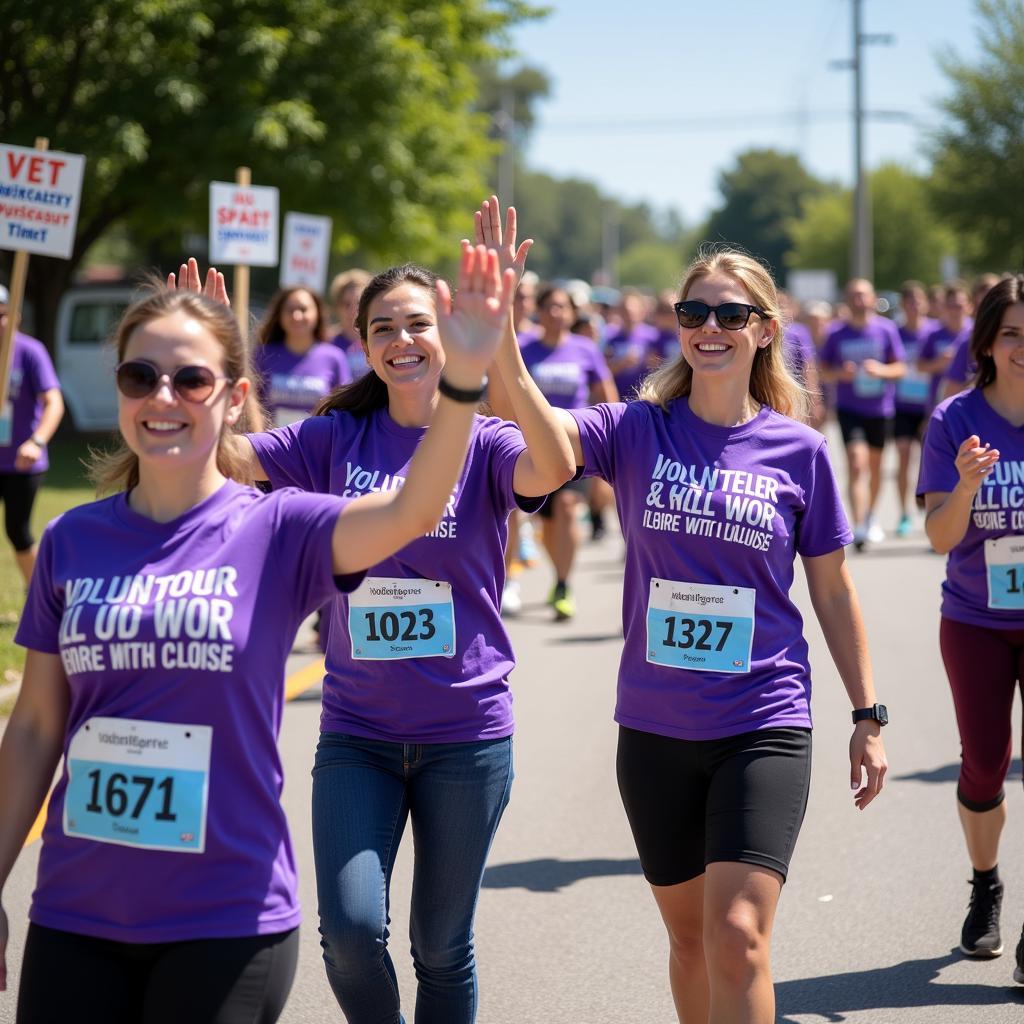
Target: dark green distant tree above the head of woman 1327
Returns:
[[762, 195]]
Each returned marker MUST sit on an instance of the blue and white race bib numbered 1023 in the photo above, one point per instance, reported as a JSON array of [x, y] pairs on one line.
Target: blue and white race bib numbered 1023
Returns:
[[390, 620]]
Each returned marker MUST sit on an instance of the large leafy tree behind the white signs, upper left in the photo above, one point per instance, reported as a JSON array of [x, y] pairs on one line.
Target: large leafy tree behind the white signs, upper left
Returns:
[[361, 110]]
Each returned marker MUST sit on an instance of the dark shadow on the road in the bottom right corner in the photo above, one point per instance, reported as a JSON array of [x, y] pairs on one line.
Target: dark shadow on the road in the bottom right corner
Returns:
[[911, 985]]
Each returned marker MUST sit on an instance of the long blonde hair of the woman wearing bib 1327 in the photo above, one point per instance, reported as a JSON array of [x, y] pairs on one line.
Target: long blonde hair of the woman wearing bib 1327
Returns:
[[772, 383]]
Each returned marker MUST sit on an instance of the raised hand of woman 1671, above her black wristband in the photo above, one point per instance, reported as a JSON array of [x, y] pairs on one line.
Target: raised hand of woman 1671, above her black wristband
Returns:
[[472, 332]]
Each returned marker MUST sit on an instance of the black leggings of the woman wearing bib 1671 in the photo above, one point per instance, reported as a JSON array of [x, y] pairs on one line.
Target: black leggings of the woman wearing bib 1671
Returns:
[[69, 977]]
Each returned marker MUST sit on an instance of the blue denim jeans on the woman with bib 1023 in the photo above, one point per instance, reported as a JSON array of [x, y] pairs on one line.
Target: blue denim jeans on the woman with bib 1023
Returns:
[[364, 791]]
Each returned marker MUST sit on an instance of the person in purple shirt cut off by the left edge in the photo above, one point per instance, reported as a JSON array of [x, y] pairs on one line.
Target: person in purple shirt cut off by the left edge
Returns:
[[35, 409]]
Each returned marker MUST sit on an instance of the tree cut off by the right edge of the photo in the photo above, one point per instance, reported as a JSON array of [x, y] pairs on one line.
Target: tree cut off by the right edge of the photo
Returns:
[[978, 153]]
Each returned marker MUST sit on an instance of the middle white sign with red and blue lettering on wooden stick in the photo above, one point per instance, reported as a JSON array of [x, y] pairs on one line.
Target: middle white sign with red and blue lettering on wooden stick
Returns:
[[243, 225]]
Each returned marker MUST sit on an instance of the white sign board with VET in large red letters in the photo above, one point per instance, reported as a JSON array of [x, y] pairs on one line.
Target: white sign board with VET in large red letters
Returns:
[[40, 192]]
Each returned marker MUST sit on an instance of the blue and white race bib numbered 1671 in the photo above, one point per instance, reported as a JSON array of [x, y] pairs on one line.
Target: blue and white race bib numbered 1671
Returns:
[[140, 784]]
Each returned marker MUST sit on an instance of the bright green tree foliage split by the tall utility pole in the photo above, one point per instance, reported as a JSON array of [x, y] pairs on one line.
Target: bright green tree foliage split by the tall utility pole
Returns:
[[910, 239]]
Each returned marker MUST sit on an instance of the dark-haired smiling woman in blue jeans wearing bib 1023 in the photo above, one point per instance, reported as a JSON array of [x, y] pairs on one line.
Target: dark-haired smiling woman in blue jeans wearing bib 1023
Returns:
[[417, 720]]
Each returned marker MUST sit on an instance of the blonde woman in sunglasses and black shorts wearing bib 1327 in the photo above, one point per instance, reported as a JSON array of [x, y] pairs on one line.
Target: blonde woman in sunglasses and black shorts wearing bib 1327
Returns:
[[719, 489]]
